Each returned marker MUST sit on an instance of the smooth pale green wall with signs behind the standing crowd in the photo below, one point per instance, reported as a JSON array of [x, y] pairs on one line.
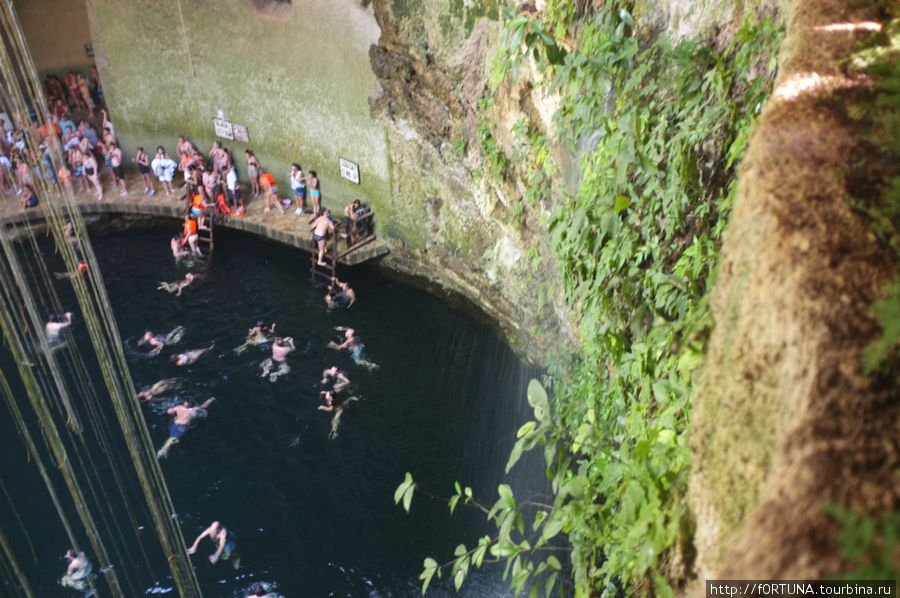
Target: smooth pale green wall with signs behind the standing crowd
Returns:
[[169, 66]]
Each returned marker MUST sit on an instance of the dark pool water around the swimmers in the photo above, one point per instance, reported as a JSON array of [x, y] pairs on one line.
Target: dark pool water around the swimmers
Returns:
[[312, 515]]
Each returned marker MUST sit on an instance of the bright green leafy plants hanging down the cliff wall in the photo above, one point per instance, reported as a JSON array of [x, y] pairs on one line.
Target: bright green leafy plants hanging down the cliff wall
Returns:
[[636, 249]]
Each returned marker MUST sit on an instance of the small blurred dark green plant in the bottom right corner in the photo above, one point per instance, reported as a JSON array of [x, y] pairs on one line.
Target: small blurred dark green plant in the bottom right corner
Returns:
[[871, 542]]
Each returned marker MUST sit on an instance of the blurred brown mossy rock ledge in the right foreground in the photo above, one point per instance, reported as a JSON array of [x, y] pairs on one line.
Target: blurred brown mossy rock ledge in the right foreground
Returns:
[[784, 420]]
